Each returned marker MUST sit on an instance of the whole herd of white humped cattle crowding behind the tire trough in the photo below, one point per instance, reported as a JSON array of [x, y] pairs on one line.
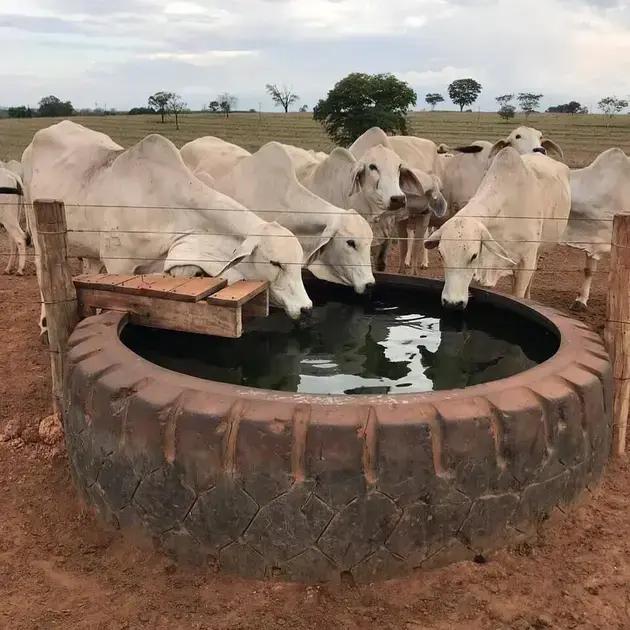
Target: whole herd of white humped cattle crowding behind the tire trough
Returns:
[[214, 208]]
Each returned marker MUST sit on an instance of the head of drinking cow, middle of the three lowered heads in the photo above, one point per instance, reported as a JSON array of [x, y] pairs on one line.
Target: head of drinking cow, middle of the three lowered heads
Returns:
[[342, 253]]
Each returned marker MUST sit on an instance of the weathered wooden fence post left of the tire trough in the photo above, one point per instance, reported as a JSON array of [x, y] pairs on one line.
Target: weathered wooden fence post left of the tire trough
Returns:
[[57, 289]]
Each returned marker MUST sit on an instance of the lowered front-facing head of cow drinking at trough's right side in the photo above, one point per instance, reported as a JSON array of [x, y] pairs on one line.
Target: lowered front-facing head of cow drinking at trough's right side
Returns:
[[469, 252]]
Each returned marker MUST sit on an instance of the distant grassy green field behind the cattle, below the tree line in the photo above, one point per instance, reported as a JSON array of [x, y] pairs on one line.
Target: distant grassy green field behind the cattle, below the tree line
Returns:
[[582, 137]]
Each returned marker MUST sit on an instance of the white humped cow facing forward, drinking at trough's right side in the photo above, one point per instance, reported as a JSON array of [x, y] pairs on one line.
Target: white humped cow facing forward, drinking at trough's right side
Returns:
[[521, 208]]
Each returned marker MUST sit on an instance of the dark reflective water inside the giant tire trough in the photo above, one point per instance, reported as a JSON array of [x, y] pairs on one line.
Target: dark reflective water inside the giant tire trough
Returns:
[[398, 342]]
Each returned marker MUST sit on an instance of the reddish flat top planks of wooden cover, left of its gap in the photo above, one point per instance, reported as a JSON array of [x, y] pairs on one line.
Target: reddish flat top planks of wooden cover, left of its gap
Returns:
[[153, 285]]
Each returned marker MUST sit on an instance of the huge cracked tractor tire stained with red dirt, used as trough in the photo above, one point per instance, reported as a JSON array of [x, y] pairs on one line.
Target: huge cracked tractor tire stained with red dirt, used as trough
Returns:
[[307, 488]]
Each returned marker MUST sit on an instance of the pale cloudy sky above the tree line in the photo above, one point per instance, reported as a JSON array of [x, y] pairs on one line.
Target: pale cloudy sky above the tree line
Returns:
[[117, 52]]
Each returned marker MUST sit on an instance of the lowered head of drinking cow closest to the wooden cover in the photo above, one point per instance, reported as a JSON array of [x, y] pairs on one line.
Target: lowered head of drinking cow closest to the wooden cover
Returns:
[[274, 254]]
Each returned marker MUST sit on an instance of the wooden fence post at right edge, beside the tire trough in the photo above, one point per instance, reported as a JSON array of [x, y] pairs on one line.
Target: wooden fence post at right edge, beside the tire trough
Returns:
[[617, 333]]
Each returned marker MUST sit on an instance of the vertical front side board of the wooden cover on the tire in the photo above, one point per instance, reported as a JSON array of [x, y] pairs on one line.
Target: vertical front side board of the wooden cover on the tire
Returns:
[[197, 317]]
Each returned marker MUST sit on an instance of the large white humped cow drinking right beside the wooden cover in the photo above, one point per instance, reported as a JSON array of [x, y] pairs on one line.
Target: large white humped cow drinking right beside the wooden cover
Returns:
[[141, 210]]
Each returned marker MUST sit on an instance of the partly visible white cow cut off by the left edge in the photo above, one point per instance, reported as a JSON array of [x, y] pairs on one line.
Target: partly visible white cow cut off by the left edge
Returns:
[[11, 205]]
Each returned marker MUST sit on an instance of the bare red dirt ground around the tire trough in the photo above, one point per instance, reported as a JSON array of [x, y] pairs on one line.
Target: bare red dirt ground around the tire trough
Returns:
[[59, 568]]
